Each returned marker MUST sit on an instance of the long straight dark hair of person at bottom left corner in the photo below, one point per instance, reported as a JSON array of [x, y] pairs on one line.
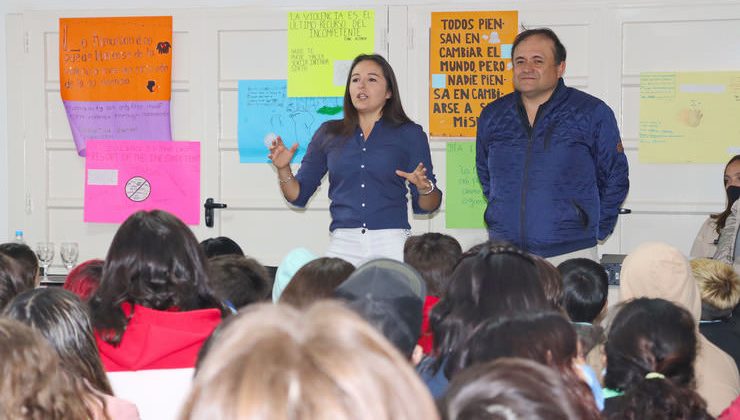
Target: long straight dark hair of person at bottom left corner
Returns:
[[63, 320]]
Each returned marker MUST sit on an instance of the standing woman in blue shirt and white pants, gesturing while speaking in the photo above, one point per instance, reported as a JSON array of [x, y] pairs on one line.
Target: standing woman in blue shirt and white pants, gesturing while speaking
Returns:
[[374, 156]]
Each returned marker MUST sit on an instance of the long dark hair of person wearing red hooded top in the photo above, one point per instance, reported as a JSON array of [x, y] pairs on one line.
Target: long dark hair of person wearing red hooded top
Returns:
[[154, 261]]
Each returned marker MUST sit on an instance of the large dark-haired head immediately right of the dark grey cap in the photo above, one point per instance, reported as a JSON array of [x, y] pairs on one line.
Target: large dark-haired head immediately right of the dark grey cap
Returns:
[[490, 281]]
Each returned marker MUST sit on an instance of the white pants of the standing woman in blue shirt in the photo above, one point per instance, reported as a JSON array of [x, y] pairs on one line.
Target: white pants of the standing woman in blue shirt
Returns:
[[360, 245]]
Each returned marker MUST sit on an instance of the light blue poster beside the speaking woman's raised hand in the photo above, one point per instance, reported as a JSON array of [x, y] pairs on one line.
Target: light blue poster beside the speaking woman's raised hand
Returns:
[[265, 110]]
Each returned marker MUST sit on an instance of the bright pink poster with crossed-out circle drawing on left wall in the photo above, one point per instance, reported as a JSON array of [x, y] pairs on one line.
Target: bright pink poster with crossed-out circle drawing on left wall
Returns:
[[125, 176]]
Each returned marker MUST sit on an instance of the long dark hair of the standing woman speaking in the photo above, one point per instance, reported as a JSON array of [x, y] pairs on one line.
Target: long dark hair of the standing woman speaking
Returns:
[[392, 111]]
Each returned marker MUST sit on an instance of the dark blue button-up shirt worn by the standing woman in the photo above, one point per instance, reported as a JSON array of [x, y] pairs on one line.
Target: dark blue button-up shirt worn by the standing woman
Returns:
[[364, 190]]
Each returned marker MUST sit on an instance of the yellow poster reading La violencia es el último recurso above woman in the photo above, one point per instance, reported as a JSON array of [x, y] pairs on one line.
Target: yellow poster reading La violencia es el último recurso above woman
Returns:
[[321, 47]]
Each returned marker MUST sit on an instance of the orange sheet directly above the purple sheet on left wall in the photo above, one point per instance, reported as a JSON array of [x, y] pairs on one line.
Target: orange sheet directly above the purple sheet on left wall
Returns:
[[115, 58]]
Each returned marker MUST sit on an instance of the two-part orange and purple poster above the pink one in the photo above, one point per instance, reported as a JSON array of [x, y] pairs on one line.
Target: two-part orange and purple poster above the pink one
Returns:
[[115, 77]]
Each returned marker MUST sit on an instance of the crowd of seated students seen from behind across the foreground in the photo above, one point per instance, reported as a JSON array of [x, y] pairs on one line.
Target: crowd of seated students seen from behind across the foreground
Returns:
[[506, 338]]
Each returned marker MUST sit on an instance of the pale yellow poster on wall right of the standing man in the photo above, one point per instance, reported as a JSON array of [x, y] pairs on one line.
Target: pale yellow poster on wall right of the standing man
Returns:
[[689, 117]]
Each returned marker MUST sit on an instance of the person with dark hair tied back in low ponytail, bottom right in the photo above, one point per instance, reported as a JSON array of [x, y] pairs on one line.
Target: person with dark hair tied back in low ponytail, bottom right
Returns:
[[650, 358]]
